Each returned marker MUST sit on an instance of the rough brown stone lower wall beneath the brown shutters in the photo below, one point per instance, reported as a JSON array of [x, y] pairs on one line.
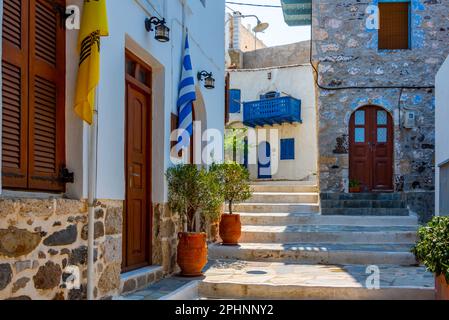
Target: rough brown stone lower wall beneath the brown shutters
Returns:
[[41, 241]]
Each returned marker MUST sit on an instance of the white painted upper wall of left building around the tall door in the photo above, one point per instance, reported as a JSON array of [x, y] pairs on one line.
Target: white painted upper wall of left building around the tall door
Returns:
[[126, 25]]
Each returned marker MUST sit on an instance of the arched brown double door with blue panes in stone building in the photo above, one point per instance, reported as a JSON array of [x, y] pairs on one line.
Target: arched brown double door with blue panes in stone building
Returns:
[[371, 149]]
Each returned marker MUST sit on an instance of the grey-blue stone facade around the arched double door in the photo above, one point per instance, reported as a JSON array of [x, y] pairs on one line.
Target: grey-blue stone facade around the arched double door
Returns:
[[353, 73]]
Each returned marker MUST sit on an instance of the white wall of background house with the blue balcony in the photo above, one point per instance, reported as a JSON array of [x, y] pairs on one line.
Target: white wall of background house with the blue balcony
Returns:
[[296, 81]]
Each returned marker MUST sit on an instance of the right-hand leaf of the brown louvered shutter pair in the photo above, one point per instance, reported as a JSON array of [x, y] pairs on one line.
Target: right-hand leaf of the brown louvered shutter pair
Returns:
[[46, 97]]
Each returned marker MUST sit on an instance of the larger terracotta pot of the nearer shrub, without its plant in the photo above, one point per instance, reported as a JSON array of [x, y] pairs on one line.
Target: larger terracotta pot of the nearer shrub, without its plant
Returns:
[[192, 253]]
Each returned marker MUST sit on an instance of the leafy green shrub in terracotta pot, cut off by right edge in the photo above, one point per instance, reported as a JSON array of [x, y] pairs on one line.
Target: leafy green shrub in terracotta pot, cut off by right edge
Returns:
[[432, 249]]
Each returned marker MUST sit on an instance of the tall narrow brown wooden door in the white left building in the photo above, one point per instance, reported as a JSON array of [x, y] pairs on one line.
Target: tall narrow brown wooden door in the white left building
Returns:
[[137, 222]]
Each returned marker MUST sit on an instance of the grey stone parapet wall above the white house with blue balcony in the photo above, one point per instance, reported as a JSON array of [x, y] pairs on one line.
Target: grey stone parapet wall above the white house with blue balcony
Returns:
[[291, 54]]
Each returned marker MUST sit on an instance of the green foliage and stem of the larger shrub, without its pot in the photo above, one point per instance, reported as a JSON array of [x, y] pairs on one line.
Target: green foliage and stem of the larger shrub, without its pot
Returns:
[[191, 191]]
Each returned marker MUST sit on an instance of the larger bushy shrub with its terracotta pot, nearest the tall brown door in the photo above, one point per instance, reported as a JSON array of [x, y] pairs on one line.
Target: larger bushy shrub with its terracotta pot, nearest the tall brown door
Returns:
[[192, 191]]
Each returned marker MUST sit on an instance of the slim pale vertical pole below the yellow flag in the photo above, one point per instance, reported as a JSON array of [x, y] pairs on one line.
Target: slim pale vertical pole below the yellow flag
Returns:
[[92, 194]]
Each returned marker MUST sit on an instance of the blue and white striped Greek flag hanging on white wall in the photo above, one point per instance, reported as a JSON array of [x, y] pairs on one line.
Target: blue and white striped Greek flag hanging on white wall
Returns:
[[186, 97]]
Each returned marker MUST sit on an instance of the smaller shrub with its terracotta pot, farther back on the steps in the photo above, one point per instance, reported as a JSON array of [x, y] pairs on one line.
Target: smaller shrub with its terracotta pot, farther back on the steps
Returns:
[[234, 183]]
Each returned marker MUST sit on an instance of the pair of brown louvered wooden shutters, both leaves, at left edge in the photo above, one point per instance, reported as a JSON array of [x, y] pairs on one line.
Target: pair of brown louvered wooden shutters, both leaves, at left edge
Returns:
[[33, 70]]
